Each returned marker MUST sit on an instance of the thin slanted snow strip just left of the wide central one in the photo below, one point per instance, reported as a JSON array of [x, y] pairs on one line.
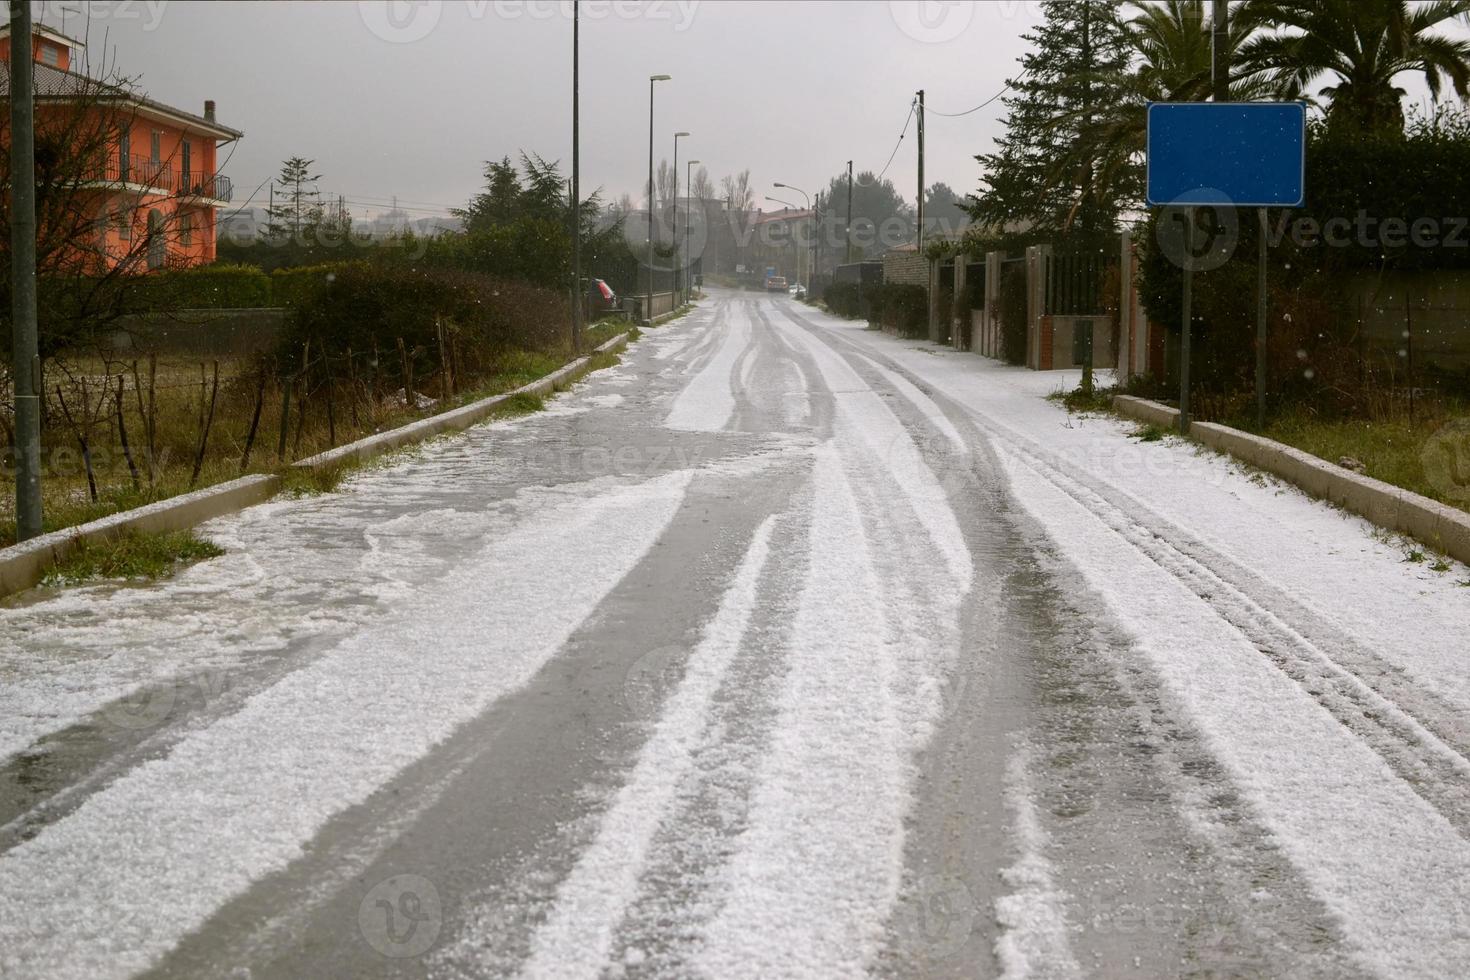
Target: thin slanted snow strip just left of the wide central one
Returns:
[[590, 904]]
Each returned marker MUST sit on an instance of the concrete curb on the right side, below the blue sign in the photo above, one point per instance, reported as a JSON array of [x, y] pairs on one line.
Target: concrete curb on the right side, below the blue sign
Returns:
[[1384, 505]]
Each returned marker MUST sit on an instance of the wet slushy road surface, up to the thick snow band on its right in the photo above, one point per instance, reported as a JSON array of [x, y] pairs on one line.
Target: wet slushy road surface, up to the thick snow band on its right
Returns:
[[740, 660]]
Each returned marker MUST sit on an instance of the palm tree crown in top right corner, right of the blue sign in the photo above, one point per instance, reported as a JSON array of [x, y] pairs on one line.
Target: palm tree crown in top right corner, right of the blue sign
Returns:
[[1365, 45]]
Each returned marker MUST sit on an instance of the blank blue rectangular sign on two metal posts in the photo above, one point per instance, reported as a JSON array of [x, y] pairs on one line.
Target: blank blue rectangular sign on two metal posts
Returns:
[[1244, 154]]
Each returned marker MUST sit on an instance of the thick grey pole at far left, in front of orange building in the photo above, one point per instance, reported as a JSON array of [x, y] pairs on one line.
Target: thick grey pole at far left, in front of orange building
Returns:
[[27, 362]]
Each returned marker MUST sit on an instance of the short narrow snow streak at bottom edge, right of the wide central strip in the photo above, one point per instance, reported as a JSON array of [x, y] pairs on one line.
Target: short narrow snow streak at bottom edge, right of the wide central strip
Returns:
[[1033, 915]]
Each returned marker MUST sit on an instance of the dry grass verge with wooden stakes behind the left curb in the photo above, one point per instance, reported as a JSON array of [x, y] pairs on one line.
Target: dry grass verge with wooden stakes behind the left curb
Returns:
[[334, 415]]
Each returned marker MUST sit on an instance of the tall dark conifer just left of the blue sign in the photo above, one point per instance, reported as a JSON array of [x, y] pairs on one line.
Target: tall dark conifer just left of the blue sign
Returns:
[[1046, 171]]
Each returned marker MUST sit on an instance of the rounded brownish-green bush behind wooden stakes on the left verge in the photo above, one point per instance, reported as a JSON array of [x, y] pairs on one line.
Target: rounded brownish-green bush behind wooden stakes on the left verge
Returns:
[[373, 306]]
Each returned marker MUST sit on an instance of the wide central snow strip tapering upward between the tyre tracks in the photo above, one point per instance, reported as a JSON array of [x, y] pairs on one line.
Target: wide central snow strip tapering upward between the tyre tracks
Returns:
[[821, 862]]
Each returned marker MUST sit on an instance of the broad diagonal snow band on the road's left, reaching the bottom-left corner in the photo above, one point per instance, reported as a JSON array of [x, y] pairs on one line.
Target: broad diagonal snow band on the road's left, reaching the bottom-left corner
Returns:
[[115, 885]]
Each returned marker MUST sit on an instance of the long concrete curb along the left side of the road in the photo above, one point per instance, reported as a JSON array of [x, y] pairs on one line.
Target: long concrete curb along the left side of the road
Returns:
[[26, 565]]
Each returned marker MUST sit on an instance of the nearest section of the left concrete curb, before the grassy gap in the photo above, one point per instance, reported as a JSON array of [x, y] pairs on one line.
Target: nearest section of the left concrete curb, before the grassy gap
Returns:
[[26, 565]]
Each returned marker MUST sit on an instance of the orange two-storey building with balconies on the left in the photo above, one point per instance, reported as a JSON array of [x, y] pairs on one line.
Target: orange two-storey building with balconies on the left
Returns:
[[143, 184]]
